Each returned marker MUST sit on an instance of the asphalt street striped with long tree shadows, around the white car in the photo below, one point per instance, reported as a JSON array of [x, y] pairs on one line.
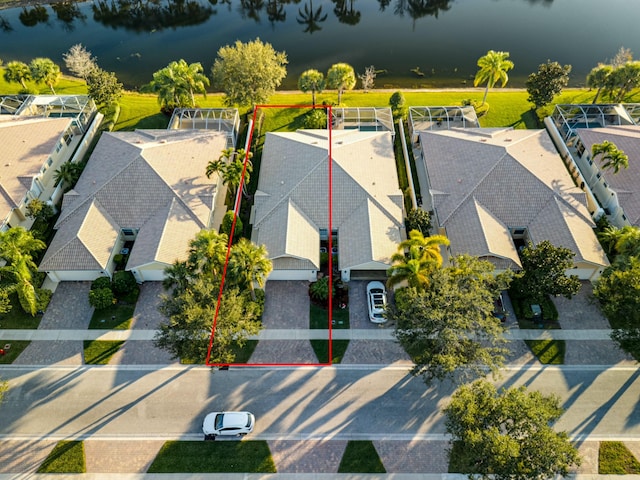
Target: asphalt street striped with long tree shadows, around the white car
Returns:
[[289, 403]]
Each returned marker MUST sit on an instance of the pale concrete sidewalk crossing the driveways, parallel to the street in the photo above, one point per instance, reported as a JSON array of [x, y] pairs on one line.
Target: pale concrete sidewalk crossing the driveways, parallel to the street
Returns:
[[287, 334]]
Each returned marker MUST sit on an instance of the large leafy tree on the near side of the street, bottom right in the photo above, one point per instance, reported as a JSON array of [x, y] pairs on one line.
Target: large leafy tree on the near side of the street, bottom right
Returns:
[[507, 434]]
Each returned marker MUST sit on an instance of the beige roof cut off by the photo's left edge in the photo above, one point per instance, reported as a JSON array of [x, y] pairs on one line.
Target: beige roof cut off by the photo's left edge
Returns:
[[26, 143]]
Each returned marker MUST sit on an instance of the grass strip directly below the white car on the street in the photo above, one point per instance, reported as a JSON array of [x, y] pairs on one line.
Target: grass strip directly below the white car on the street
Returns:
[[214, 457]]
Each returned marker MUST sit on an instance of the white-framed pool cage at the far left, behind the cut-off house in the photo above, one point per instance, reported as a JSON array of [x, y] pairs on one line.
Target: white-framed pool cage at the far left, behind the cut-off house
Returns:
[[79, 107]]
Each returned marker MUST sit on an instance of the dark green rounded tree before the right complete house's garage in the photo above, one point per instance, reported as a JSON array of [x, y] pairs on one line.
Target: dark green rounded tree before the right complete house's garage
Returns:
[[544, 272]]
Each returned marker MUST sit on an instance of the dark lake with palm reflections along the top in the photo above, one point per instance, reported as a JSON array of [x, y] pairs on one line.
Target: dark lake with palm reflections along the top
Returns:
[[412, 43]]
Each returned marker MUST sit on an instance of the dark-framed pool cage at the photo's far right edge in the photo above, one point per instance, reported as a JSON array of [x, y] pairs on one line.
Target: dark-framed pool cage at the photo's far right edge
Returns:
[[568, 118]]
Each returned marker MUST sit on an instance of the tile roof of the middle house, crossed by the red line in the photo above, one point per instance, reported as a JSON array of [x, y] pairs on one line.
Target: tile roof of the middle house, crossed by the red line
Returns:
[[366, 201]]
